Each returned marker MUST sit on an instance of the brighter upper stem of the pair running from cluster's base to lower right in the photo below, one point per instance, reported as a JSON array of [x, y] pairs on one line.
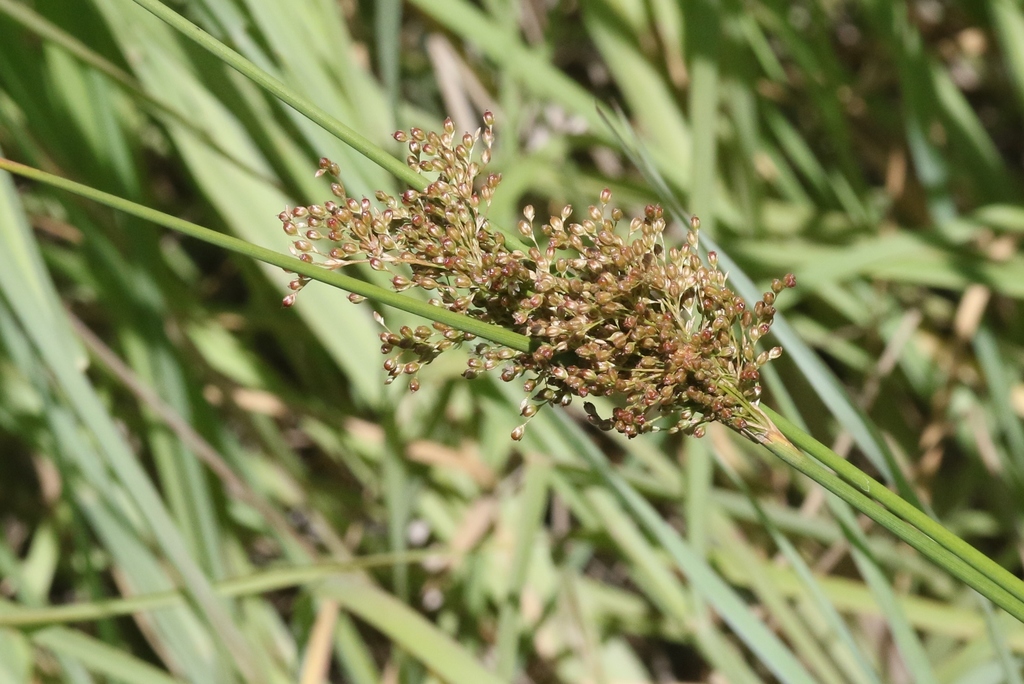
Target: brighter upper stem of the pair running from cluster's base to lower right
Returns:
[[872, 488]]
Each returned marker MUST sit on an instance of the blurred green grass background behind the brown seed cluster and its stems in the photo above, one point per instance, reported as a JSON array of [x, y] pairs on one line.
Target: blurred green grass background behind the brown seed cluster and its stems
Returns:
[[165, 424]]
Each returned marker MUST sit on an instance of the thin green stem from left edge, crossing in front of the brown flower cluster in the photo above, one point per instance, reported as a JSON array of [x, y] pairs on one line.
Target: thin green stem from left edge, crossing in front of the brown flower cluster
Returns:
[[461, 322]]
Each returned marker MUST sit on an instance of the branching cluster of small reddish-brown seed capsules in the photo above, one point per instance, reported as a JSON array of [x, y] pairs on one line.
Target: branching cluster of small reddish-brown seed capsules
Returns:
[[617, 316]]
